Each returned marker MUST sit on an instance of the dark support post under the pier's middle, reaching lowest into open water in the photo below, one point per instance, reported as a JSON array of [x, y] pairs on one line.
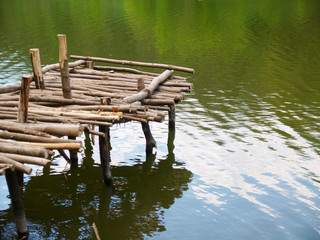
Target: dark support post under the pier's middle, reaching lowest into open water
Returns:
[[105, 156]]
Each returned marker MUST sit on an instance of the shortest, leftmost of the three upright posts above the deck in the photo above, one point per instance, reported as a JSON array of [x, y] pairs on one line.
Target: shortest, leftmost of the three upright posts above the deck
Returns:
[[24, 99]]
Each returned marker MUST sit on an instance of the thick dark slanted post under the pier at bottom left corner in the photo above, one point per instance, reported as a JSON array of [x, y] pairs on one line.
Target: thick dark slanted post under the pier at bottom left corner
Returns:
[[17, 204]]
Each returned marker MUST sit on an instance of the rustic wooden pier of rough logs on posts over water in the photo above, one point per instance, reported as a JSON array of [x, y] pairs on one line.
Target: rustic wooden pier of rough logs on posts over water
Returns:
[[58, 102]]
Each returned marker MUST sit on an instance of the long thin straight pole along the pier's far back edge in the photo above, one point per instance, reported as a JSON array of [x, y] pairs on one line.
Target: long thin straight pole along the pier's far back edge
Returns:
[[135, 63]]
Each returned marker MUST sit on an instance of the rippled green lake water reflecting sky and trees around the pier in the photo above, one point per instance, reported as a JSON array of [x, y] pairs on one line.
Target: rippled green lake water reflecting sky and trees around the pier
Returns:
[[243, 162]]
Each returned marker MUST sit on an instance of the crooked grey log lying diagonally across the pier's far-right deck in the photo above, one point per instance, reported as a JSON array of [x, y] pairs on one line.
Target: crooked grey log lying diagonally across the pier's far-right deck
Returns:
[[149, 90]]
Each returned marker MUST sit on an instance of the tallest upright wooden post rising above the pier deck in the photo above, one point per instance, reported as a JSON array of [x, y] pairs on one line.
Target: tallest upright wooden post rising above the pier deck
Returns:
[[64, 68]]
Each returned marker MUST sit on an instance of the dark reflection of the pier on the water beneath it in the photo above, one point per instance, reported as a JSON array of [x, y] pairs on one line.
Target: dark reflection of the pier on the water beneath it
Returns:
[[66, 205]]
